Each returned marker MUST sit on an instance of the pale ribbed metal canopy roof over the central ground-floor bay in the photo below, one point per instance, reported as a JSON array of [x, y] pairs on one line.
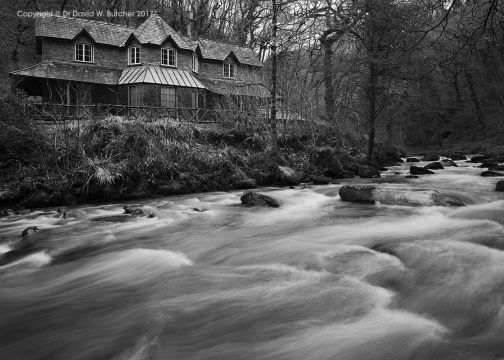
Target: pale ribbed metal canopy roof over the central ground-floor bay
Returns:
[[159, 75]]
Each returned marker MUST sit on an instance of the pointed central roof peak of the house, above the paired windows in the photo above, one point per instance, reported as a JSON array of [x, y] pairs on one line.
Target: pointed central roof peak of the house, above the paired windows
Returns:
[[155, 31]]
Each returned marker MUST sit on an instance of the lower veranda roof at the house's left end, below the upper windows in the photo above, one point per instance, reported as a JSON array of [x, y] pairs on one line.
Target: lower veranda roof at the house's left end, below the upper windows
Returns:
[[71, 71]]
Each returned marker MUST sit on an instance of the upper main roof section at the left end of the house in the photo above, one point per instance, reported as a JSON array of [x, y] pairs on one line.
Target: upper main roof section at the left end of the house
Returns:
[[63, 27]]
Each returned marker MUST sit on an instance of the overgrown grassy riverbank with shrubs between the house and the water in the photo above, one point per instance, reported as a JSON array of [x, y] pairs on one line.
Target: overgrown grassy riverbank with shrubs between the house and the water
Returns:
[[114, 159]]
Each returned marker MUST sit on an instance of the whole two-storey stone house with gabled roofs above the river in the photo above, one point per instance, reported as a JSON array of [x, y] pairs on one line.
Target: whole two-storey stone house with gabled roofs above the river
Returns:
[[84, 62]]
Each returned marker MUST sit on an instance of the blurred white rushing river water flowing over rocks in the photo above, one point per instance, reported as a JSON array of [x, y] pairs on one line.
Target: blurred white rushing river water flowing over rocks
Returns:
[[317, 278]]
